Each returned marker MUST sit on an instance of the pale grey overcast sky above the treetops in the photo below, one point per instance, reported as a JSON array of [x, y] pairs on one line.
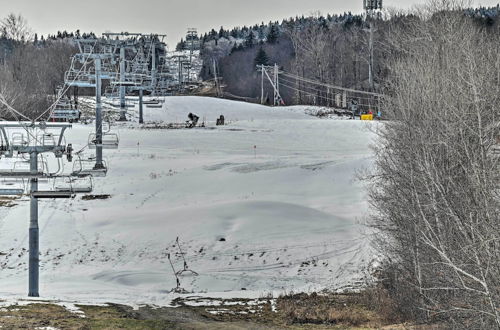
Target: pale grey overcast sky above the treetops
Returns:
[[172, 17]]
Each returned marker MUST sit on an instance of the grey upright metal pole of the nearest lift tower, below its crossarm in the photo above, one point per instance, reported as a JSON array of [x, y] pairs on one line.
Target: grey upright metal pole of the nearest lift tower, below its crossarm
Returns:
[[33, 231]]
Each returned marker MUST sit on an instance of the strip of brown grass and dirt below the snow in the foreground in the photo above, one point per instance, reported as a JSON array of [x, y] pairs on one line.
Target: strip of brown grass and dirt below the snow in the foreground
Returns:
[[297, 312]]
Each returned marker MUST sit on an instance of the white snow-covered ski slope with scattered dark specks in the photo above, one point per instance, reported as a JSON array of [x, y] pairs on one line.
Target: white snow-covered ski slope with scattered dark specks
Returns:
[[267, 203]]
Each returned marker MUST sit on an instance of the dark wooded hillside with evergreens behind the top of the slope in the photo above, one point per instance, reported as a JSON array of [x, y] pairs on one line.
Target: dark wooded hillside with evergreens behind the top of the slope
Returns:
[[331, 49]]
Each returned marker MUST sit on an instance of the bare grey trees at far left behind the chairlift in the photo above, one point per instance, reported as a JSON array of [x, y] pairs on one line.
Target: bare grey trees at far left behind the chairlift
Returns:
[[32, 68]]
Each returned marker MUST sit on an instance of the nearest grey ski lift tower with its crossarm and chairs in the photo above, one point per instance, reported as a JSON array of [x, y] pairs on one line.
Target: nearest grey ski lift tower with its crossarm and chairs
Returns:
[[34, 146]]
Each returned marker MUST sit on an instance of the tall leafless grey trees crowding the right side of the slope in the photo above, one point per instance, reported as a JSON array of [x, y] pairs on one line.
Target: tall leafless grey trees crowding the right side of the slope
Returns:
[[435, 190]]
